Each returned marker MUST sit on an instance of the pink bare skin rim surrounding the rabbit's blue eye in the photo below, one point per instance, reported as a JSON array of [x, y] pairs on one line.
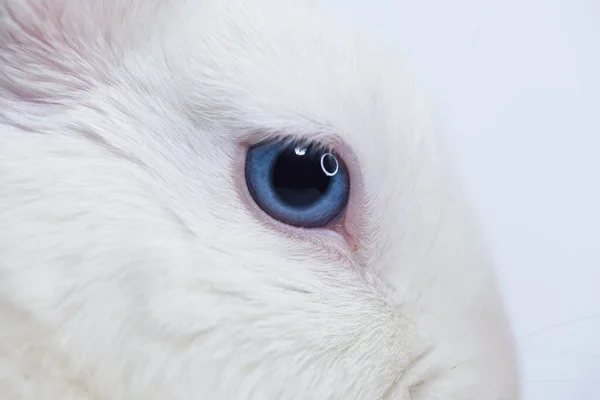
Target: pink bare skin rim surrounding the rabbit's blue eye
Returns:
[[344, 234]]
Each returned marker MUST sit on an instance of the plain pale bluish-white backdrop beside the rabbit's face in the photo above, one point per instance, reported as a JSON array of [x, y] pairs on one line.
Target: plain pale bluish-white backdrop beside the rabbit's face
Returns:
[[517, 87]]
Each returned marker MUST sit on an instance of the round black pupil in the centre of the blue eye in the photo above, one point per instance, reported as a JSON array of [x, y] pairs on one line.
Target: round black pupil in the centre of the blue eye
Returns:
[[298, 178]]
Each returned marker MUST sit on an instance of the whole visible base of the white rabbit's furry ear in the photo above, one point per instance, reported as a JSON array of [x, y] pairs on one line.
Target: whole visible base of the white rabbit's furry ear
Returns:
[[49, 49]]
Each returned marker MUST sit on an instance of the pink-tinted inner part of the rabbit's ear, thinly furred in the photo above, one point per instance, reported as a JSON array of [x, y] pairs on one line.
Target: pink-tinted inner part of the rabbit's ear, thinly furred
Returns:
[[42, 49]]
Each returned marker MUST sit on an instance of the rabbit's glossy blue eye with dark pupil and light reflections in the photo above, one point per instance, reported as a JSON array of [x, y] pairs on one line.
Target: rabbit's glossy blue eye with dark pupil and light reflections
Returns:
[[300, 185]]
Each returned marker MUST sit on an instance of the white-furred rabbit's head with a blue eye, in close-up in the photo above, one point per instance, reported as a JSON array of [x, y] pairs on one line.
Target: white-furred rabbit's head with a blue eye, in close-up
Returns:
[[147, 246]]
